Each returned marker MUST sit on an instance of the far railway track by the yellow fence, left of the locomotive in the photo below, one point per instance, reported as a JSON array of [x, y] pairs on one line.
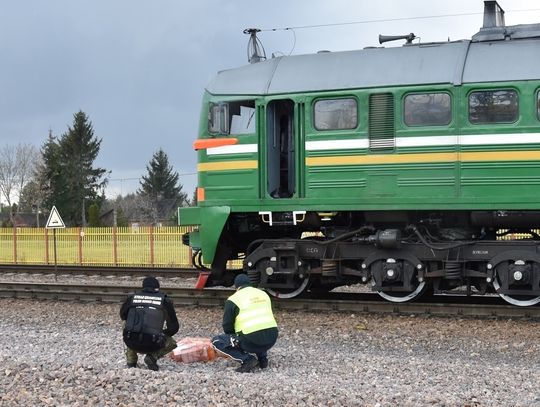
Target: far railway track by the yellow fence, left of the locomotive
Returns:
[[98, 270]]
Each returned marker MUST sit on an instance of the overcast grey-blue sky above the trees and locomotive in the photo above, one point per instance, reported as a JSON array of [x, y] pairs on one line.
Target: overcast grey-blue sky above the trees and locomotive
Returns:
[[139, 68]]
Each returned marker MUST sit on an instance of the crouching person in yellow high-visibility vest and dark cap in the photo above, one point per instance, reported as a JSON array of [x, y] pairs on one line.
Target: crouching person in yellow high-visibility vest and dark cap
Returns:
[[249, 326]]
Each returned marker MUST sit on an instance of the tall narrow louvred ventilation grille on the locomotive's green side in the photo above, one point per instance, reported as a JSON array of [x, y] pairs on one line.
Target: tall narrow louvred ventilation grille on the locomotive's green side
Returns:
[[382, 132]]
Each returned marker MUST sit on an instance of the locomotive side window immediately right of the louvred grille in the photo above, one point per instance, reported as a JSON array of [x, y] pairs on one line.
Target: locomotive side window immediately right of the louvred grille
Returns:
[[427, 109]]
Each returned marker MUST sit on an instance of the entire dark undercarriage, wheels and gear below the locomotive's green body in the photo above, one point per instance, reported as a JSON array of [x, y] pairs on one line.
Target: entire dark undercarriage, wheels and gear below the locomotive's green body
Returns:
[[439, 253]]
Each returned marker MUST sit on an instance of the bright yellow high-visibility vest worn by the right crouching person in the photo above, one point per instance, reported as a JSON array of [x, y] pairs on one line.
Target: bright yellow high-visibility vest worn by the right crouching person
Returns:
[[255, 310]]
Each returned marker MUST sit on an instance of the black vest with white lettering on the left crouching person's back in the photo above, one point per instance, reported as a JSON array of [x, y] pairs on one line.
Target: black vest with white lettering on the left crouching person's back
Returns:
[[143, 331]]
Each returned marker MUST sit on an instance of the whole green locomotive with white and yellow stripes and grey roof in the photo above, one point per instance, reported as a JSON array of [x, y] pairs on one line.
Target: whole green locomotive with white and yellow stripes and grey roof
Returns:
[[405, 168]]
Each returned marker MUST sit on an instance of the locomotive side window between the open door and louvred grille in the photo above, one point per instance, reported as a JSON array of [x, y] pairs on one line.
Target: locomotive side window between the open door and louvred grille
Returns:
[[335, 114]]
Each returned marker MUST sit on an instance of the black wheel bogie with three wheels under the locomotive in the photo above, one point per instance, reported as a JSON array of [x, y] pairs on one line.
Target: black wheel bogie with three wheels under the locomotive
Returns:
[[287, 268]]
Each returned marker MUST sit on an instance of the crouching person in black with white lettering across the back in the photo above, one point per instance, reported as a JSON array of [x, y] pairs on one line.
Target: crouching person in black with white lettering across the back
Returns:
[[150, 323]]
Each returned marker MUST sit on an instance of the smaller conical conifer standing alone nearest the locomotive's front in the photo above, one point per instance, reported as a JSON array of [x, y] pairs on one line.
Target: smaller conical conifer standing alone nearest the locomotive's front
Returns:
[[161, 187]]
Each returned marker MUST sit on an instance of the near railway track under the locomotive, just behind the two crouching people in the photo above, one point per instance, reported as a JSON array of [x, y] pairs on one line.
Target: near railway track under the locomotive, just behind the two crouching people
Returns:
[[335, 302]]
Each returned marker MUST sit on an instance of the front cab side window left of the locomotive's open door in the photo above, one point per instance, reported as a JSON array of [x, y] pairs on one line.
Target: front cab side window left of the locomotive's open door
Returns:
[[232, 117]]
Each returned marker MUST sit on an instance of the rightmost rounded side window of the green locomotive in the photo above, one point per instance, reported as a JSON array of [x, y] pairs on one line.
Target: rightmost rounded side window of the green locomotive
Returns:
[[493, 106]]
